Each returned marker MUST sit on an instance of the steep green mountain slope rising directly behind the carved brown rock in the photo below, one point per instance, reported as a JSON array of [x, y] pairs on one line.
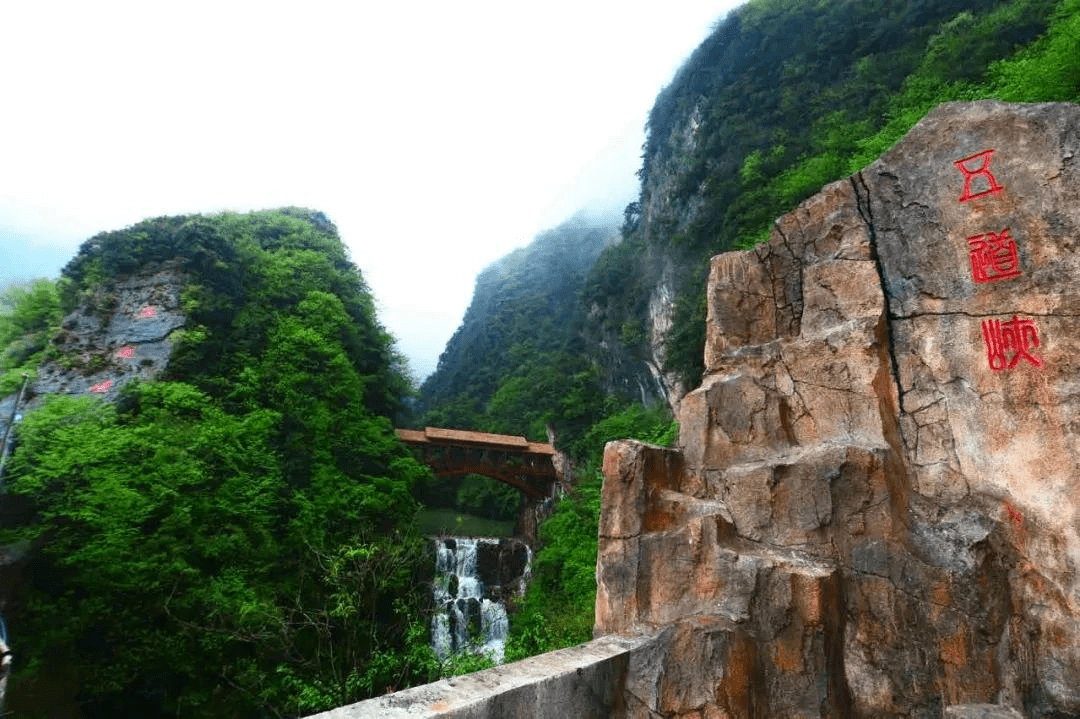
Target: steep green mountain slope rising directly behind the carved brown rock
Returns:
[[786, 97]]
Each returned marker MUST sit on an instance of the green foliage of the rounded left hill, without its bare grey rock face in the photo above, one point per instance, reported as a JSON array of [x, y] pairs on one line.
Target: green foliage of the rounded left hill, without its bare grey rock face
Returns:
[[234, 538]]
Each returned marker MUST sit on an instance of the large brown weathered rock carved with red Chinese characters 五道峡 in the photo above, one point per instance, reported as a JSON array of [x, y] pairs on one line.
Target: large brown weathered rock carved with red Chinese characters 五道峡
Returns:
[[875, 510]]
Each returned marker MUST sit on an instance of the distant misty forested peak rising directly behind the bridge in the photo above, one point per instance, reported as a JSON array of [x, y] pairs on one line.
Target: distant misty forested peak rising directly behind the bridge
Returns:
[[509, 365]]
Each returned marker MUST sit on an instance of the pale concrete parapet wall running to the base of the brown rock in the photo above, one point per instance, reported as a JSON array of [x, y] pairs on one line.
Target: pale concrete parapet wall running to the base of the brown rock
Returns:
[[586, 681]]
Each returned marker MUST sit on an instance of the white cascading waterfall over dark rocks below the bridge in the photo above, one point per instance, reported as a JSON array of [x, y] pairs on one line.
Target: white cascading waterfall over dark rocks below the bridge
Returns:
[[471, 614]]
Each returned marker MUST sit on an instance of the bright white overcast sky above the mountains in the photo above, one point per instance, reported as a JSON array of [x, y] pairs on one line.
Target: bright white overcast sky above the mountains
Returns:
[[438, 137]]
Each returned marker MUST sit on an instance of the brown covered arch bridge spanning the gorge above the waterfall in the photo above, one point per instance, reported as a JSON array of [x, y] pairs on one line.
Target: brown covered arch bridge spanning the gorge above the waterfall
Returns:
[[534, 469]]
